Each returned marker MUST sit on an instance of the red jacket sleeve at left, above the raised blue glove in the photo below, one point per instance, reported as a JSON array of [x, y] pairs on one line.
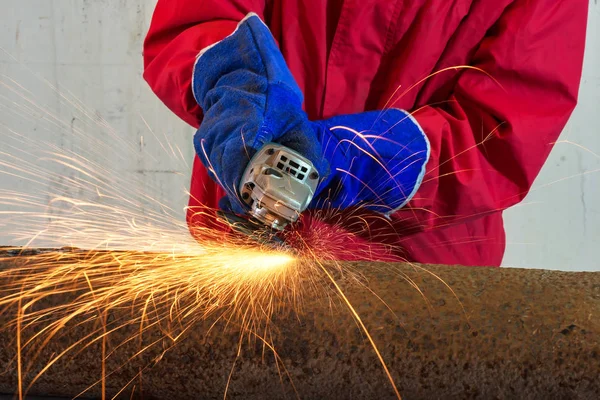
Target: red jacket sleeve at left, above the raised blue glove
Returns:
[[179, 30]]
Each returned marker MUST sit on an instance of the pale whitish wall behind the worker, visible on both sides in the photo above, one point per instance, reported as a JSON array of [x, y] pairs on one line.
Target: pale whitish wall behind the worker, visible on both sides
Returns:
[[92, 50]]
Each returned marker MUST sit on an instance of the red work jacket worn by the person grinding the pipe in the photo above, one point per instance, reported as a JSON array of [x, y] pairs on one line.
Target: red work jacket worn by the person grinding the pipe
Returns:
[[491, 127]]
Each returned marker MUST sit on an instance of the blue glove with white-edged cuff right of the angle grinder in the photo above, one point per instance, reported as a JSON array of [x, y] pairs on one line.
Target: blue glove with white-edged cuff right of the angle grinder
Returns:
[[377, 158]]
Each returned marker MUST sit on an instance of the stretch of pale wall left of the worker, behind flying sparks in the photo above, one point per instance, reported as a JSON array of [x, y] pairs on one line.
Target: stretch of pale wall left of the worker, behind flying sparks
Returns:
[[91, 51]]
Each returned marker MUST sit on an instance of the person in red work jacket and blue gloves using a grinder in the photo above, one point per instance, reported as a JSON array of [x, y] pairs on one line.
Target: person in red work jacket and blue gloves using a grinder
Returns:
[[424, 119]]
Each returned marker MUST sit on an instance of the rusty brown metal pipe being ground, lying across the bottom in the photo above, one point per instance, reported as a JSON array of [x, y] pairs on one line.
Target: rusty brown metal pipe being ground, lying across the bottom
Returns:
[[526, 334]]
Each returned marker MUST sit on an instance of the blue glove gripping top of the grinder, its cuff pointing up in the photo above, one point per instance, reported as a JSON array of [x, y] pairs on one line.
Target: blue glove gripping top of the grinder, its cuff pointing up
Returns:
[[249, 98]]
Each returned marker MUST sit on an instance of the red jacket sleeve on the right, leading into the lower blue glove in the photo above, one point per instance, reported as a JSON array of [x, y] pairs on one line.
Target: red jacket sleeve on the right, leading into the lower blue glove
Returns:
[[489, 142]]
